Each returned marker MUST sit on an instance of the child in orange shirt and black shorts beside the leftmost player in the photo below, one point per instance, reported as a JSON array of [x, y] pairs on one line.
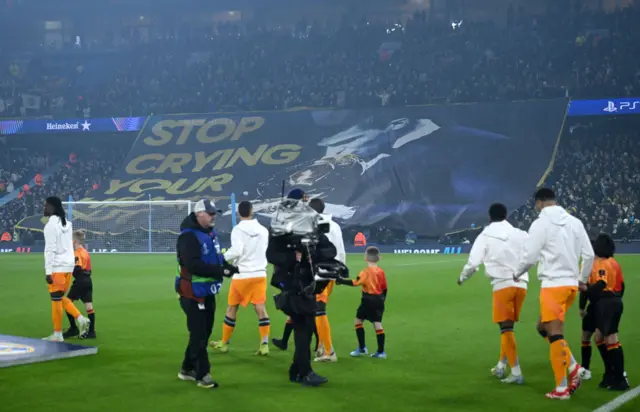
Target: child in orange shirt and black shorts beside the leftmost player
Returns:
[[82, 287]]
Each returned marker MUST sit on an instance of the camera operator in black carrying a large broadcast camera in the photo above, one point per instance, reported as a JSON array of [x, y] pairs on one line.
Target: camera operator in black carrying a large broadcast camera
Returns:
[[296, 247]]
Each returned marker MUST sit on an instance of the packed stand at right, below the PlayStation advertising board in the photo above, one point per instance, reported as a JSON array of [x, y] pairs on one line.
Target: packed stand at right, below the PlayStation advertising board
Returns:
[[596, 177]]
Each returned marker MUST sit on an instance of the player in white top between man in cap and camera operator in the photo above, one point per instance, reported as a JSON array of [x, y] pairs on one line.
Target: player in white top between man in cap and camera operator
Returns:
[[249, 242]]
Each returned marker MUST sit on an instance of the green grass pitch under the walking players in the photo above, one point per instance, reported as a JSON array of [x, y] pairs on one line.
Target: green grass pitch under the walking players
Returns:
[[440, 341]]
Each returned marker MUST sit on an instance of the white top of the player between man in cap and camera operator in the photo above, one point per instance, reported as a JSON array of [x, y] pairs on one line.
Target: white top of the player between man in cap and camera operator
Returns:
[[248, 251]]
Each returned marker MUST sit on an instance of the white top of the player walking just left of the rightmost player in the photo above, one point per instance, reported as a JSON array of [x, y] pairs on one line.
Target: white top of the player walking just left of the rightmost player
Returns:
[[499, 247]]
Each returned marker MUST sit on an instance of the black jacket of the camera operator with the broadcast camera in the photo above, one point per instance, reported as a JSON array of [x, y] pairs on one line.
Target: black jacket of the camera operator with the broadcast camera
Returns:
[[289, 274]]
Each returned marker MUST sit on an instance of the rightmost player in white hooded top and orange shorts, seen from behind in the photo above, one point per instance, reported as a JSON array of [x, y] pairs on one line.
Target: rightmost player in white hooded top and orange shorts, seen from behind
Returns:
[[557, 240]]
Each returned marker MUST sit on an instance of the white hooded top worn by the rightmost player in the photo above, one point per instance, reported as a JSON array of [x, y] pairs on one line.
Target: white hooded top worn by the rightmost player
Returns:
[[558, 240]]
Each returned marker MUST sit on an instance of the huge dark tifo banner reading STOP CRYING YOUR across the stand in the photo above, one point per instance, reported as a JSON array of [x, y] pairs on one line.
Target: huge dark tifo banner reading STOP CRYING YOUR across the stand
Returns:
[[426, 169]]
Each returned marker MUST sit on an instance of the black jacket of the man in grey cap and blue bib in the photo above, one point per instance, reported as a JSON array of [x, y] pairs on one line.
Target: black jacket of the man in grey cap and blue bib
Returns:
[[190, 258]]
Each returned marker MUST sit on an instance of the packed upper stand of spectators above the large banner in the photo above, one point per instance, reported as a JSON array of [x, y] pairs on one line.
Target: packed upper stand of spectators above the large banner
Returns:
[[357, 65]]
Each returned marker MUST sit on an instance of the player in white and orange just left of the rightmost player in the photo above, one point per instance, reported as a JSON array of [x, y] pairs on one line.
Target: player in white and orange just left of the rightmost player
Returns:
[[500, 247]]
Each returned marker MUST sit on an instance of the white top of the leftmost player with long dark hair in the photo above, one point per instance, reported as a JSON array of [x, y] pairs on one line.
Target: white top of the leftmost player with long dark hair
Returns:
[[58, 247]]
